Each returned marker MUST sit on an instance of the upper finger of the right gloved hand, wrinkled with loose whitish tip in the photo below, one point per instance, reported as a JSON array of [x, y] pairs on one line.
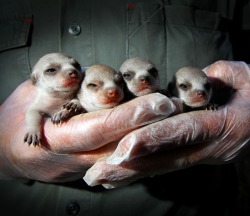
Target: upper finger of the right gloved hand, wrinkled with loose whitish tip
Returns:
[[173, 132]]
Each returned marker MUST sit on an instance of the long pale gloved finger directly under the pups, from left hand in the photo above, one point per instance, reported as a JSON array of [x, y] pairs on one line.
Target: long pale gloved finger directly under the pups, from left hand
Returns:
[[92, 130]]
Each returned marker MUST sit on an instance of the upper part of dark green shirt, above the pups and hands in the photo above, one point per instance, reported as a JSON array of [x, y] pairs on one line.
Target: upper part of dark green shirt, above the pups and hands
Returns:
[[170, 33]]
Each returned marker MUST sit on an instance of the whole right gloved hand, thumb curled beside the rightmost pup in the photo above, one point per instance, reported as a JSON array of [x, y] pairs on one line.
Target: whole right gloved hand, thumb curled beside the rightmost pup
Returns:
[[187, 139]]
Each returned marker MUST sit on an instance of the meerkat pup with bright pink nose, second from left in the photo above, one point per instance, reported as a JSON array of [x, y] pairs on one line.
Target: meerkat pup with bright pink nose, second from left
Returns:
[[101, 88]]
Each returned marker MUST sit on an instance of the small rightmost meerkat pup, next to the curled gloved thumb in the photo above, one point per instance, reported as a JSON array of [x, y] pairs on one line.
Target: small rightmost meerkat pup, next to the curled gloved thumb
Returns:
[[193, 87]]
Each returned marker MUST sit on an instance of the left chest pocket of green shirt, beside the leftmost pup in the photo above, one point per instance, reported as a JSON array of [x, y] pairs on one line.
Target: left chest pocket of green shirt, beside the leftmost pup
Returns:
[[14, 52]]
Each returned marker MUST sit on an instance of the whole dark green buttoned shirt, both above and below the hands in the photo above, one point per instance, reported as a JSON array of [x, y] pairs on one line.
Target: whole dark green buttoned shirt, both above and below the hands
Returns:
[[173, 34]]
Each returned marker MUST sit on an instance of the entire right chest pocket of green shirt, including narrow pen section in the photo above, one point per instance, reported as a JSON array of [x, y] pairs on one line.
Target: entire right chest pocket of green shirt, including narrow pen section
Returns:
[[174, 36]]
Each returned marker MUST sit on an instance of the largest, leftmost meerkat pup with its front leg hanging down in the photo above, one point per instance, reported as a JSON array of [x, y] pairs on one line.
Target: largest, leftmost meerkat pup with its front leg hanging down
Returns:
[[57, 78]]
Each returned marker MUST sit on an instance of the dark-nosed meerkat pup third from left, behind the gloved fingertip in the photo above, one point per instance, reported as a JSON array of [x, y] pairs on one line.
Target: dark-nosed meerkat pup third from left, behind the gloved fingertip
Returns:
[[140, 75]]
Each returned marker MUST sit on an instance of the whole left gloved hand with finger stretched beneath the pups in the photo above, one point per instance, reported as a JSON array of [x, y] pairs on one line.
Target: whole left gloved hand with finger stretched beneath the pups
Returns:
[[72, 147]]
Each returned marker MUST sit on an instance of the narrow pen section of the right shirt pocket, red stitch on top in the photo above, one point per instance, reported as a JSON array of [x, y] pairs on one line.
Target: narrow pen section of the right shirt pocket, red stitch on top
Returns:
[[146, 32]]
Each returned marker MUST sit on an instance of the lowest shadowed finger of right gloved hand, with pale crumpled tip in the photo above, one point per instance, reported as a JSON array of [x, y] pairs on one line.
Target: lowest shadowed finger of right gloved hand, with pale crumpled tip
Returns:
[[111, 176]]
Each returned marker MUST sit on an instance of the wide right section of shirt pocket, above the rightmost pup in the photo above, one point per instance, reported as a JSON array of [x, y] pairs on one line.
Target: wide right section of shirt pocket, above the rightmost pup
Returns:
[[195, 37]]
